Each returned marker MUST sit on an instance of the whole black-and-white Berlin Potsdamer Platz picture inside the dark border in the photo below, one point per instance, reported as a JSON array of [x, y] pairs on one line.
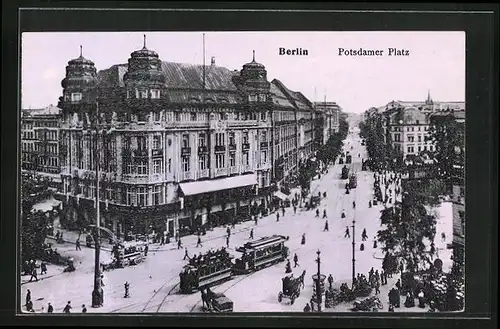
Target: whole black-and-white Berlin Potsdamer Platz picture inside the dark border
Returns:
[[214, 172]]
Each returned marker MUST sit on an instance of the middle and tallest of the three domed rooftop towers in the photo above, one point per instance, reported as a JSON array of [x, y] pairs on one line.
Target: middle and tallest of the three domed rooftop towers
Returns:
[[145, 77]]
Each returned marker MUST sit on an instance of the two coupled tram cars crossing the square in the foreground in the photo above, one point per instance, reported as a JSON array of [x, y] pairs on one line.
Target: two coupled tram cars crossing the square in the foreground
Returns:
[[212, 268]]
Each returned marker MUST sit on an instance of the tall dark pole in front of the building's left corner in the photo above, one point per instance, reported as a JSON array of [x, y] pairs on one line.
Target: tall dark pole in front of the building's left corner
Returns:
[[97, 293]]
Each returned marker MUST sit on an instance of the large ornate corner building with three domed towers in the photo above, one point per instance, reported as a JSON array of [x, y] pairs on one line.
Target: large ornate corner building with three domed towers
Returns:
[[180, 146]]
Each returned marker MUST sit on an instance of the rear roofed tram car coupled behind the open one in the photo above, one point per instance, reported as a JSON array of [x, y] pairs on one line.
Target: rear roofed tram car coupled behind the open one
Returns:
[[261, 253]]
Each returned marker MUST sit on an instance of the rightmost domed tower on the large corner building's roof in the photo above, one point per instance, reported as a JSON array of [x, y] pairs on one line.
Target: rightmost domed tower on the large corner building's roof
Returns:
[[253, 81]]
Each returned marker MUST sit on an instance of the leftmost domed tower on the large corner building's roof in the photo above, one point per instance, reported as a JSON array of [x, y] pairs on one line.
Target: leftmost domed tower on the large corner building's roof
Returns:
[[79, 85]]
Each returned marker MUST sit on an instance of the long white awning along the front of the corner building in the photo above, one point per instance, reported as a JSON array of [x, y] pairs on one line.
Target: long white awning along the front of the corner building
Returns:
[[193, 188]]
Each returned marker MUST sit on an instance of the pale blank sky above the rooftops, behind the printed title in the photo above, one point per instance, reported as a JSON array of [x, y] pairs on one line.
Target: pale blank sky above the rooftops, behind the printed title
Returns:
[[436, 61]]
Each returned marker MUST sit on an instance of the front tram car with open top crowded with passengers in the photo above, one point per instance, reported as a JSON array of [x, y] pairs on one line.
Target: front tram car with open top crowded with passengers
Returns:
[[206, 270]]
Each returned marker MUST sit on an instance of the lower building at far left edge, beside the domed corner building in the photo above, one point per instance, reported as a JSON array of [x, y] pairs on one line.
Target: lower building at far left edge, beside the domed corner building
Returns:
[[40, 142]]
